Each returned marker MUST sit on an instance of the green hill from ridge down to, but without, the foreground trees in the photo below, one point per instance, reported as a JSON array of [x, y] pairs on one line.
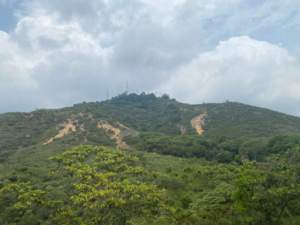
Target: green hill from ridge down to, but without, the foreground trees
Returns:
[[173, 138]]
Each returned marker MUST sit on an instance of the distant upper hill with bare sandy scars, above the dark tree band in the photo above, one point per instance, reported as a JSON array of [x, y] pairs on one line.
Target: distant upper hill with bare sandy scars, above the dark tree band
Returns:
[[102, 123]]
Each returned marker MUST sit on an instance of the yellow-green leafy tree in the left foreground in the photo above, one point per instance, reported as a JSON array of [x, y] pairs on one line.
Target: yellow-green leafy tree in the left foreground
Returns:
[[106, 193]]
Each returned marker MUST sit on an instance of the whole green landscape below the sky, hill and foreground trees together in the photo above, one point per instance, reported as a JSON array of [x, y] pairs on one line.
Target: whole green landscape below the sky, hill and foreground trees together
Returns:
[[179, 164]]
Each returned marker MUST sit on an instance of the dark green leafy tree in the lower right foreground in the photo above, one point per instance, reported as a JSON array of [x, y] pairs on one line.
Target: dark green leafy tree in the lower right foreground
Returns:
[[262, 195]]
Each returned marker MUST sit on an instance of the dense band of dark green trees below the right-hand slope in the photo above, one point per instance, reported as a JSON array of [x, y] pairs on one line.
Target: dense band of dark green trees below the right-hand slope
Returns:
[[223, 150]]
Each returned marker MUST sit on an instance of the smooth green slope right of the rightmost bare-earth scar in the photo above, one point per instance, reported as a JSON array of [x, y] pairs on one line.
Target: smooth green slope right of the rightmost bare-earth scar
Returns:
[[235, 120]]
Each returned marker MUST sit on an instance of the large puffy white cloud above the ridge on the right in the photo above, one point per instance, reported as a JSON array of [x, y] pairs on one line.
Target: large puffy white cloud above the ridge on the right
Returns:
[[239, 69]]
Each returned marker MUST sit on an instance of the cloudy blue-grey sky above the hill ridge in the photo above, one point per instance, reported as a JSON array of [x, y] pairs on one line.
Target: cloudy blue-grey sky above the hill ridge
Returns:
[[58, 53]]
